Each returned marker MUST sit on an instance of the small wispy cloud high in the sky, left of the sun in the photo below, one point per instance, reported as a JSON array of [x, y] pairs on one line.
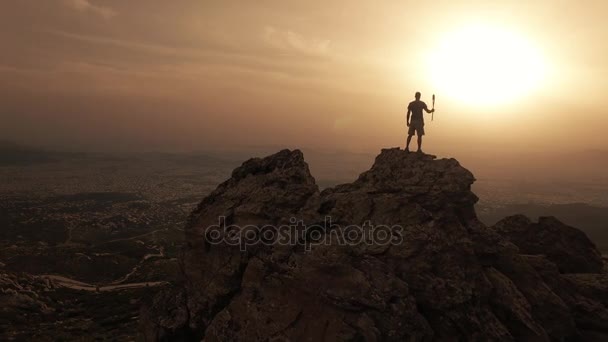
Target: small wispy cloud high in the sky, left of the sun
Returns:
[[290, 40]]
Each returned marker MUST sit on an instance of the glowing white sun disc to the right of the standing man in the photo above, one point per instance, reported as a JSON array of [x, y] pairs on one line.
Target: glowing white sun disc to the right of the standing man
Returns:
[[484, 65]]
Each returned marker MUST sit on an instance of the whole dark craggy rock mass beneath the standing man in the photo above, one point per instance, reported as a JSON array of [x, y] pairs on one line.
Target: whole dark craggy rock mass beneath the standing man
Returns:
[[396, 255]]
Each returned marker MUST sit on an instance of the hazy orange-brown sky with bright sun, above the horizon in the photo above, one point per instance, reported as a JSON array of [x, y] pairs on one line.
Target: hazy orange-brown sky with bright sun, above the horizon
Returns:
[[196, 74]]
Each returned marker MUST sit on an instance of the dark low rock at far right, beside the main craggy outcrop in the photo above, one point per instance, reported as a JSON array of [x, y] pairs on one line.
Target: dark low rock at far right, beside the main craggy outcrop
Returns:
[[569, 248]]
